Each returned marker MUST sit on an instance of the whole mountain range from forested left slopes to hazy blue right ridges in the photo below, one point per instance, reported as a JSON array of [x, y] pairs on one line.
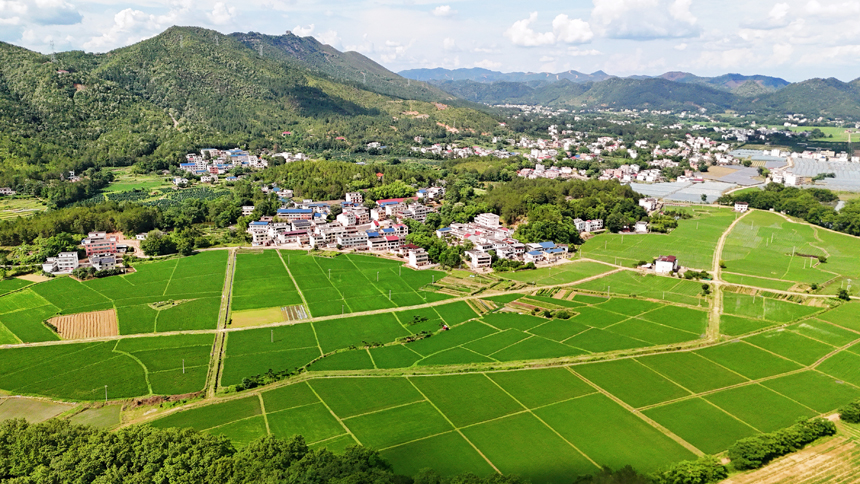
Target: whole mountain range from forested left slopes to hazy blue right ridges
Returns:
[[153, 101]]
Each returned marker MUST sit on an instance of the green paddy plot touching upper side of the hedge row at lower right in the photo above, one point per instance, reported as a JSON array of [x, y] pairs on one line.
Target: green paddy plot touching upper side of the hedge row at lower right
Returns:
[[759, 407]]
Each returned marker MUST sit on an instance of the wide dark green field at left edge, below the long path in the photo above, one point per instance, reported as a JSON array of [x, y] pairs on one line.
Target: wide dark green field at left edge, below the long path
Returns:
[[129, 368]]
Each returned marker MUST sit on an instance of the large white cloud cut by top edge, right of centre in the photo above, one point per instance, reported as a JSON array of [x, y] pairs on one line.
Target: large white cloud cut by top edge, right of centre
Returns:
[[644, 19]]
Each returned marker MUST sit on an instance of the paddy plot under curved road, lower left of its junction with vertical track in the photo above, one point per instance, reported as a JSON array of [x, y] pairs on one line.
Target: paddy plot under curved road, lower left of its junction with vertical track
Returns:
[[692, 371]]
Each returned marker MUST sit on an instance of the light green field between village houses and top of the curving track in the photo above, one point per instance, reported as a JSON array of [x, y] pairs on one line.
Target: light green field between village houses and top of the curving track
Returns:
[[693, 242]]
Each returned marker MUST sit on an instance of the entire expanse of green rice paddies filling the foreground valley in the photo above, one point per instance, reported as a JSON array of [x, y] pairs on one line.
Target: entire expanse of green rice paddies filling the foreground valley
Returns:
[[545, 382]]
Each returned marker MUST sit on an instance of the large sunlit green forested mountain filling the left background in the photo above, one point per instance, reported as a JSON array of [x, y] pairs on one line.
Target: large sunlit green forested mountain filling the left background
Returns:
[[187, 88]]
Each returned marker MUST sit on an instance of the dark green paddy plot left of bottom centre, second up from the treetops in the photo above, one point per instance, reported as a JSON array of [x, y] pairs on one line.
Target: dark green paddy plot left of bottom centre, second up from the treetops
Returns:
[[398, 425]]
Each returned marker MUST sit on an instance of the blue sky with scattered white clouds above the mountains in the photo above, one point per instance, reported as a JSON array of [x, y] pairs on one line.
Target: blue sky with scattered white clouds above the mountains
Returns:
[[795, 40]]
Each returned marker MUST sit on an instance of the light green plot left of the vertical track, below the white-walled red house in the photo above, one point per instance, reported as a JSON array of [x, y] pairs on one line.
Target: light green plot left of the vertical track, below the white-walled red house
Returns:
[[661, 288]]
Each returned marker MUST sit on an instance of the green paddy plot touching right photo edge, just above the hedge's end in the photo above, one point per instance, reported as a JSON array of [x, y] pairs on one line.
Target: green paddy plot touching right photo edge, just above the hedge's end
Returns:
[[815, 390]]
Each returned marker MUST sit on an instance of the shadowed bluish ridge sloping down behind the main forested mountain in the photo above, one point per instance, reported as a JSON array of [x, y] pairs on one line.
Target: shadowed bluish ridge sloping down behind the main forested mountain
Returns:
[[346, 67]]
